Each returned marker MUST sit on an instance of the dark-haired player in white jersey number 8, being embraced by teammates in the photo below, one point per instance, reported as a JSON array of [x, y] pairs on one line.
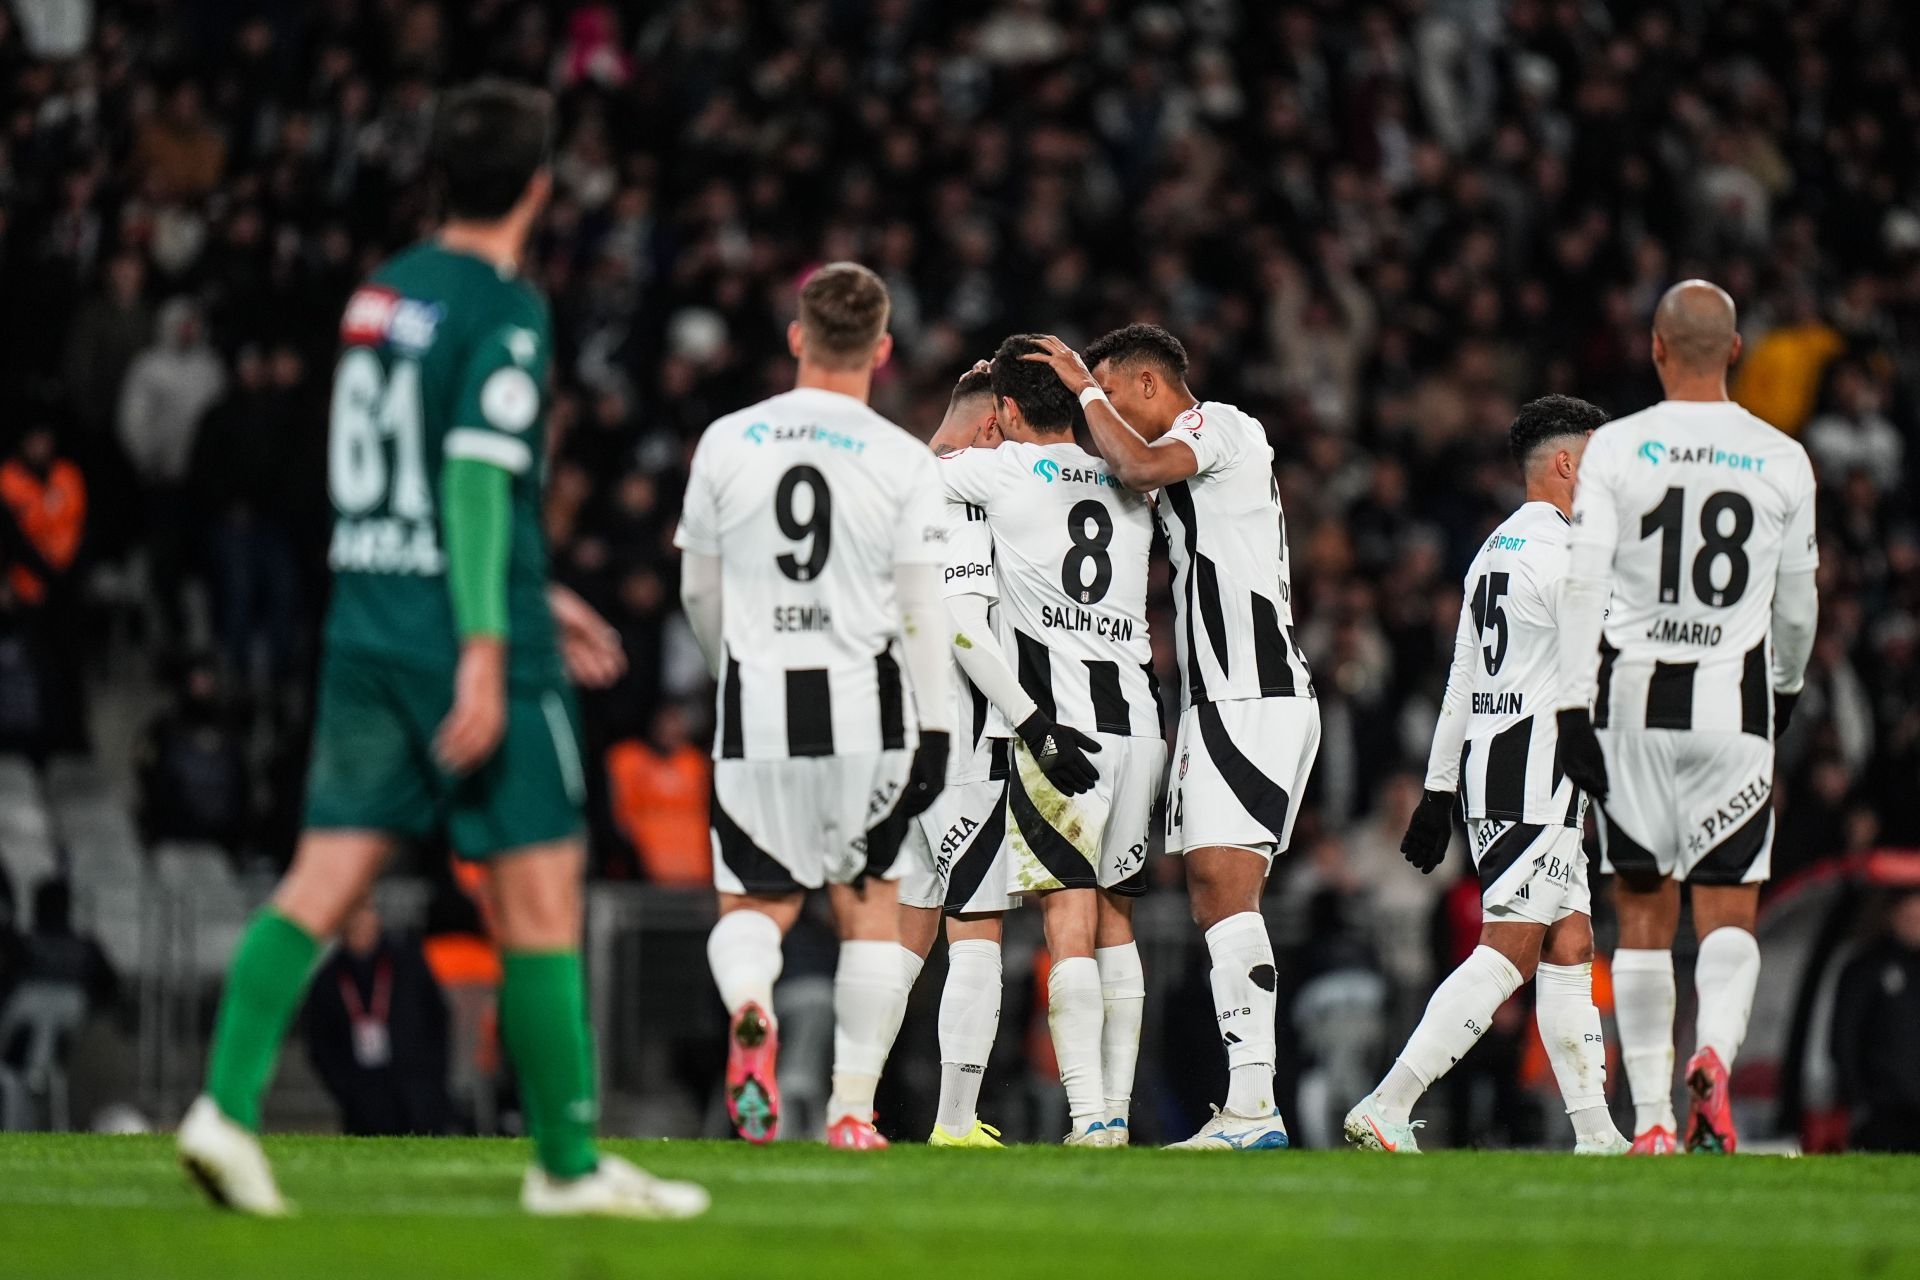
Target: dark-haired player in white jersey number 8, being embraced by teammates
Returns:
[[1070, 546]]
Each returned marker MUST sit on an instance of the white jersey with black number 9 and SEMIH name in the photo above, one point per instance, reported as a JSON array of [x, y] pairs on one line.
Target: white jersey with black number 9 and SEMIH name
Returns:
[[811, 500]]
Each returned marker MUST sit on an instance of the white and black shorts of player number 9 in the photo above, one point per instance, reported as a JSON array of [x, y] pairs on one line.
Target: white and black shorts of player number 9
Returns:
[[780, 826]]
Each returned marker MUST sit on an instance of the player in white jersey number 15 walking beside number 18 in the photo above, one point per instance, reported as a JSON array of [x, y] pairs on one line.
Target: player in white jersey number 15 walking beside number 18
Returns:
[[1495, 757]]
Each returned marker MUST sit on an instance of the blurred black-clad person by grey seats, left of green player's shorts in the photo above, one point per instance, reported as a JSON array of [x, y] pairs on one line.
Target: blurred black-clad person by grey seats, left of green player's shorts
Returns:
[[197, 780]]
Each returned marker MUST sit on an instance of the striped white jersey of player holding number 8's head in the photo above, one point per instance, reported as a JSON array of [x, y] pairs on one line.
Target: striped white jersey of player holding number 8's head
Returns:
[[1232, 577]]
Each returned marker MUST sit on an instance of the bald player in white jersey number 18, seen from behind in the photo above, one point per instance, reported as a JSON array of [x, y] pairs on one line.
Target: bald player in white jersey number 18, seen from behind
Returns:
[[1692, 579]]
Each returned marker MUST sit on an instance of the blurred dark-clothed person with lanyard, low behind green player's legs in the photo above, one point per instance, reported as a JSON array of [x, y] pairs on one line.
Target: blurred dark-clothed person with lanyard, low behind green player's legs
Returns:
[[377, 1033]]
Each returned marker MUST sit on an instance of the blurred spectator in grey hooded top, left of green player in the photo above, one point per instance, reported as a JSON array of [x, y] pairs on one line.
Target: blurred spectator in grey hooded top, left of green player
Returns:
[[168, 391]]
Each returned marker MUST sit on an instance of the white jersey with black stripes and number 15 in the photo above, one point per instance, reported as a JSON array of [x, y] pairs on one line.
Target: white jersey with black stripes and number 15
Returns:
[[1504, 684]]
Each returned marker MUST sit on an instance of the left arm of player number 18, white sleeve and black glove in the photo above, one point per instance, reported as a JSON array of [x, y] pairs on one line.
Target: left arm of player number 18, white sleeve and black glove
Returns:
[[1583, 617]]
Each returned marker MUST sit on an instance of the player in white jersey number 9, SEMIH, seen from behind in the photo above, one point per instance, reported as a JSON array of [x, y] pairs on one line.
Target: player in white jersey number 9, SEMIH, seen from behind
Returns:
[[815, 542]]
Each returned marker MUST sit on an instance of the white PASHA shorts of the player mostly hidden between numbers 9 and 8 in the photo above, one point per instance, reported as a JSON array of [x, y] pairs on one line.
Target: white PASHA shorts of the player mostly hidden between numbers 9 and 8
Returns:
[[955, 855]]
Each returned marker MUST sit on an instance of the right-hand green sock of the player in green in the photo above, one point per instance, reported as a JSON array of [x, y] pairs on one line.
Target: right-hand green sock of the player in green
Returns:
[[544, 1024]]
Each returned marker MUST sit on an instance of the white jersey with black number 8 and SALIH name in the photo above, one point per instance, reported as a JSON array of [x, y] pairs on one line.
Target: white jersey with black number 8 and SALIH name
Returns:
[[1070, 548]]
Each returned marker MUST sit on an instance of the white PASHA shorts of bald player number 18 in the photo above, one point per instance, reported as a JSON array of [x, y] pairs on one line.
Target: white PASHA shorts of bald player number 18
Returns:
[[1689, 805]]
